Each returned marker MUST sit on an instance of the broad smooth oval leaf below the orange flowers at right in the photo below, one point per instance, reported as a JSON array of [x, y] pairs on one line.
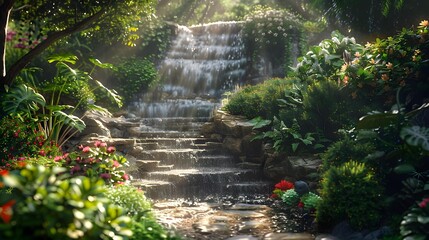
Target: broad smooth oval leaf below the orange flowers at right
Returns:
[[377, 120]]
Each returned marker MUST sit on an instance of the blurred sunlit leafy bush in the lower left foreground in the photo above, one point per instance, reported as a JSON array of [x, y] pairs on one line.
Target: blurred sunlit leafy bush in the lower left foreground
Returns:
[[49, 205]]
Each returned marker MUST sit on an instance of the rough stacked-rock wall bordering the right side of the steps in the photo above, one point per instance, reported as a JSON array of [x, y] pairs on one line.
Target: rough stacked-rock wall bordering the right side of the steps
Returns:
[[236, 134]]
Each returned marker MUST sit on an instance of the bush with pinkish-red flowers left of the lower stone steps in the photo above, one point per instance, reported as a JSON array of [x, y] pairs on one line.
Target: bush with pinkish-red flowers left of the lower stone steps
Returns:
[[98, 161]]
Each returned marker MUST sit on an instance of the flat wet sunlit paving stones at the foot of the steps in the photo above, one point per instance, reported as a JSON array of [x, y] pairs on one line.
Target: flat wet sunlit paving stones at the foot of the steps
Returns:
[[227, 218]]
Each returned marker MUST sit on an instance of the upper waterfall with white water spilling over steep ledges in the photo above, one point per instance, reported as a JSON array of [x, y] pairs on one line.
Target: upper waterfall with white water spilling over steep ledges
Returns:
[[203, 62]]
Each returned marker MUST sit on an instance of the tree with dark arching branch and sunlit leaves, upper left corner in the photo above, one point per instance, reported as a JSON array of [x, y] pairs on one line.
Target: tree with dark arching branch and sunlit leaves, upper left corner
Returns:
[[113, 20]]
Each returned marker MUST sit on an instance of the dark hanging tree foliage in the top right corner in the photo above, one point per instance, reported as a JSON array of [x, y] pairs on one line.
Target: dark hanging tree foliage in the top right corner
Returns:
[[373, 18]]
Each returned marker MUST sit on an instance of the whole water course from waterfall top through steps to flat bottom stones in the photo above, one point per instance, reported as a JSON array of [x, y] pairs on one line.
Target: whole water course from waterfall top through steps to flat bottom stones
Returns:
[[196, 185]]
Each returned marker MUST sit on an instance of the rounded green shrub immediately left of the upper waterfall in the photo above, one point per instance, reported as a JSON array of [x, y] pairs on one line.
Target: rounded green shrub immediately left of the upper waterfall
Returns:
[[135, 75]]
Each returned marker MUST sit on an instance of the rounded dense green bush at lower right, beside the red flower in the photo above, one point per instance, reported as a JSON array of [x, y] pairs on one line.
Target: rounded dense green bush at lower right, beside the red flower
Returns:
[[348, 191]]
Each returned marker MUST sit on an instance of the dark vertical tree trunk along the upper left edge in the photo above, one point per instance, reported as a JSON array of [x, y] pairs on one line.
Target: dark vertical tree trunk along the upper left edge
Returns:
[[5, 9]]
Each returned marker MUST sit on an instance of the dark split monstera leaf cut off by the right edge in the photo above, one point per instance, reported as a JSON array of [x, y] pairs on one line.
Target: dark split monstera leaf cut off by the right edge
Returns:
[[416, 136]]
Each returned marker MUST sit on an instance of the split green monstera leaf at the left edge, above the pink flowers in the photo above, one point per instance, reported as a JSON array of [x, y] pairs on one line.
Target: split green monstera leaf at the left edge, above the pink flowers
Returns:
[[22, 99]]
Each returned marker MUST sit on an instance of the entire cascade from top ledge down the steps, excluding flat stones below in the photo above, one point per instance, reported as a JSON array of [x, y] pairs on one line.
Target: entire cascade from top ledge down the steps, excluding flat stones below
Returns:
[[175, 161]]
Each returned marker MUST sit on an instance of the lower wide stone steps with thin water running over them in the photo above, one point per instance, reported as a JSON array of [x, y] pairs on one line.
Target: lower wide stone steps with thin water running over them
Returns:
[[173, 160]]
